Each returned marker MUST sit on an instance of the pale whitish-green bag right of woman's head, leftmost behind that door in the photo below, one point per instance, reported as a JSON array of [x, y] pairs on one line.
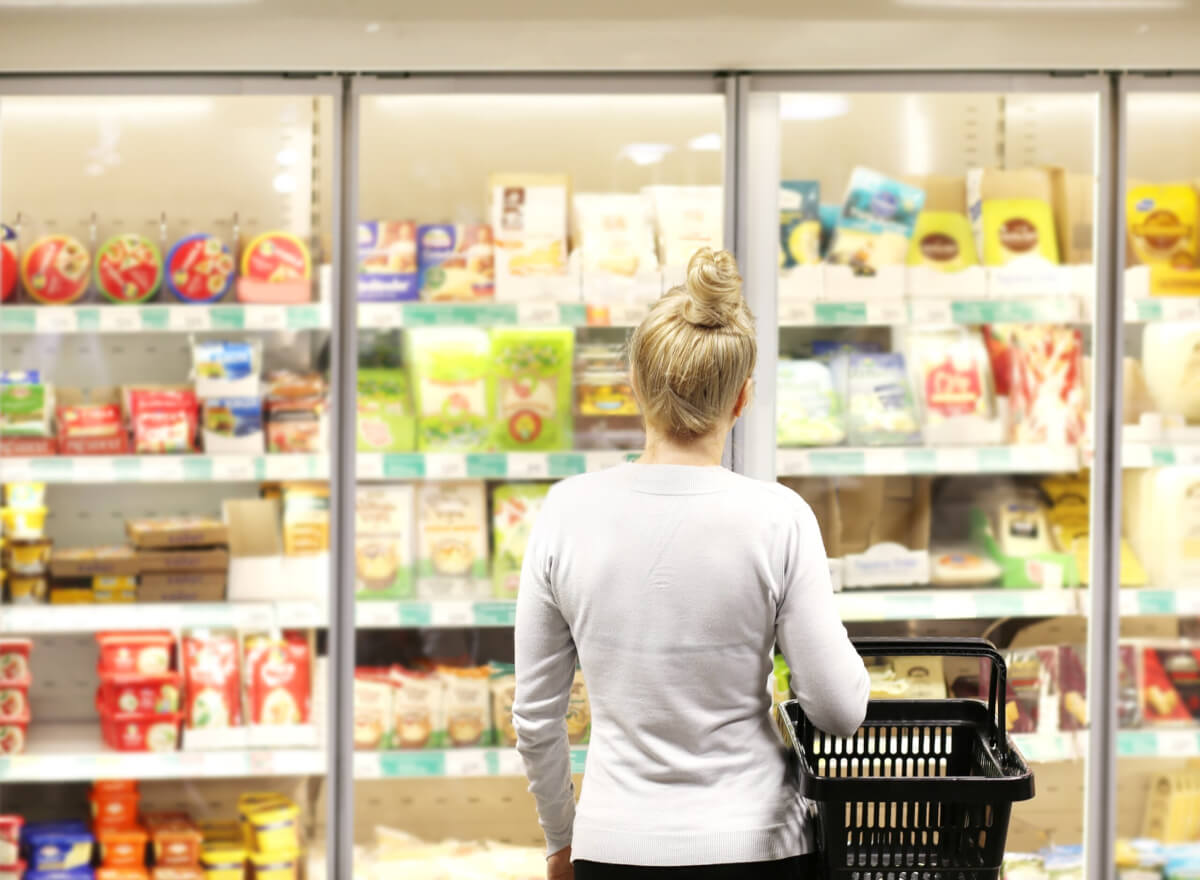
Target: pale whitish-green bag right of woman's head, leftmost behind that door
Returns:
[[809, 410]]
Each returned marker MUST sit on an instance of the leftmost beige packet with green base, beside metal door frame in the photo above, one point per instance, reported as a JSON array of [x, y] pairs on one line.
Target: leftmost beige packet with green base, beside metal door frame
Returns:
[[385, 541]]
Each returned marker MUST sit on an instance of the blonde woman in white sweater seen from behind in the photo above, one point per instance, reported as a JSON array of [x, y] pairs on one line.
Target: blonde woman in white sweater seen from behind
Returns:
[[670, 580]]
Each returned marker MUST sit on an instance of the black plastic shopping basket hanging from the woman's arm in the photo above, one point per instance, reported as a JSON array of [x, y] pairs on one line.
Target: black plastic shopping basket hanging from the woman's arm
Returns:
[[925, 789]]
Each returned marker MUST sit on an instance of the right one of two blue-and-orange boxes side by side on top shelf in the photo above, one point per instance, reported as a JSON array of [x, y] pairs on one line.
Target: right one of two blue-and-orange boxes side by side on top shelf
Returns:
[[457, 262]]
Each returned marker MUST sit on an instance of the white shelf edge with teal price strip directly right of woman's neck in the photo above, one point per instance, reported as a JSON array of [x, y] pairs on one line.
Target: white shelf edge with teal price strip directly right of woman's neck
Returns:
[[838, 462]]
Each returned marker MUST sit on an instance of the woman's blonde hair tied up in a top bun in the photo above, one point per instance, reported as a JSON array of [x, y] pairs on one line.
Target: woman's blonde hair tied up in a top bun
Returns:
[[694, 352]]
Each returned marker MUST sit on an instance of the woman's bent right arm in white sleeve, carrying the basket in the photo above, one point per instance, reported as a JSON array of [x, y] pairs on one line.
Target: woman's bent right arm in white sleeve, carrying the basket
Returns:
[[829, 677]]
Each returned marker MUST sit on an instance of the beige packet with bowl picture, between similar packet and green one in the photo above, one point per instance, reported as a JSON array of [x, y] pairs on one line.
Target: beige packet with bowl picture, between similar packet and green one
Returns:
[[452, 526]]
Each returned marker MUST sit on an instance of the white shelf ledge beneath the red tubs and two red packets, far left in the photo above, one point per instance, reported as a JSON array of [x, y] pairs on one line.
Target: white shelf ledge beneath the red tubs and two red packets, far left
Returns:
[[76, 753]]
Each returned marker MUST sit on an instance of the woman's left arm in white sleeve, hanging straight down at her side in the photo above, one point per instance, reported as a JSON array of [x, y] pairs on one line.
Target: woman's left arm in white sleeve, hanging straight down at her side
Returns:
[[545, 661]]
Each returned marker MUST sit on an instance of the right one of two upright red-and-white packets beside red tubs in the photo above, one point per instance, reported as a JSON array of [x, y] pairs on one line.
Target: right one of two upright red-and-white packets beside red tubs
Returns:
[[279, 680]]
